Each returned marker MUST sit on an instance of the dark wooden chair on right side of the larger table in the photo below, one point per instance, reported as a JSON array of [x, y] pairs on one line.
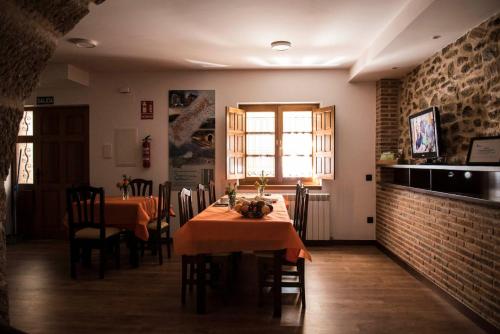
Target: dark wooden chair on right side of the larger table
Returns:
[[265, 259]]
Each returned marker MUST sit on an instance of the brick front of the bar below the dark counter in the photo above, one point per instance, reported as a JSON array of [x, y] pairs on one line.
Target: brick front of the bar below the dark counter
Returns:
[[453, 243]]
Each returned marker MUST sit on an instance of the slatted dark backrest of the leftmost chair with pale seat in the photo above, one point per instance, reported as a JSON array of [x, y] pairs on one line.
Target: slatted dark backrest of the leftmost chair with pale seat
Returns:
[[81, 204]]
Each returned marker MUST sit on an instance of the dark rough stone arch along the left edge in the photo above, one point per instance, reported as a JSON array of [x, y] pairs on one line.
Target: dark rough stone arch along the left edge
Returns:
[[29, 33]]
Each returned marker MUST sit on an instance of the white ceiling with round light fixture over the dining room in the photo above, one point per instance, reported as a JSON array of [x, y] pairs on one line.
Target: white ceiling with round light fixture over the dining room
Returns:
[[153, 35]]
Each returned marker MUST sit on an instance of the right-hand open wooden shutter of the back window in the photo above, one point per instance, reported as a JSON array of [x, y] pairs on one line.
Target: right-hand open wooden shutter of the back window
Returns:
[[324, 143]]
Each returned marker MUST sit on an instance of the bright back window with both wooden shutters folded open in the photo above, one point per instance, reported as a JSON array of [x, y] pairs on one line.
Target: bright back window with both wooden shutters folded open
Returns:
[[285, 141]]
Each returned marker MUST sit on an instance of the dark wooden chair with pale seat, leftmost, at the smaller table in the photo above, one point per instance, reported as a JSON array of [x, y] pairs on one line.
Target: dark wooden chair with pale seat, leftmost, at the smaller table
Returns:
[[87, 229]]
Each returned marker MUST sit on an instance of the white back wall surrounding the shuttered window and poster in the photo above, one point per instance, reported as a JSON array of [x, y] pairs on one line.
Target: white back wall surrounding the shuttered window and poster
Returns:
[[352, 198]]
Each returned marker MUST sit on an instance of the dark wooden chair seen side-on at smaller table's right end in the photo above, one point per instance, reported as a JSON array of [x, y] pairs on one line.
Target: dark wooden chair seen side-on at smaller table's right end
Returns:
[[161, 224]]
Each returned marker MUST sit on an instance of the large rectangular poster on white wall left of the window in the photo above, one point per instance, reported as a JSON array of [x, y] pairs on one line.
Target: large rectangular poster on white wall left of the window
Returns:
[[191, 137]]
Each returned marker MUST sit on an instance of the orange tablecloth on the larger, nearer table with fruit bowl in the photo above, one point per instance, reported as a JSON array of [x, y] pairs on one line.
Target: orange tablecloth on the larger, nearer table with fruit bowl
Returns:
[[218, 229]]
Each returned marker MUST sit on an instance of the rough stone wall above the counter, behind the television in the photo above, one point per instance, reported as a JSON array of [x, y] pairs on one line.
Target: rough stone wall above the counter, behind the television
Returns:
[[463, 81]]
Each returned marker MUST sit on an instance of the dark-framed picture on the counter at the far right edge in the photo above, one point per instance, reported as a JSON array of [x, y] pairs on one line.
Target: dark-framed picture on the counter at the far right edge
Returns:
[[484, 151]]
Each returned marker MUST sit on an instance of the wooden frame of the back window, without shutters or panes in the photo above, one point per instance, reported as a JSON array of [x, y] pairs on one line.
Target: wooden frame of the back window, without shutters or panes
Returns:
[[279, 109]]
